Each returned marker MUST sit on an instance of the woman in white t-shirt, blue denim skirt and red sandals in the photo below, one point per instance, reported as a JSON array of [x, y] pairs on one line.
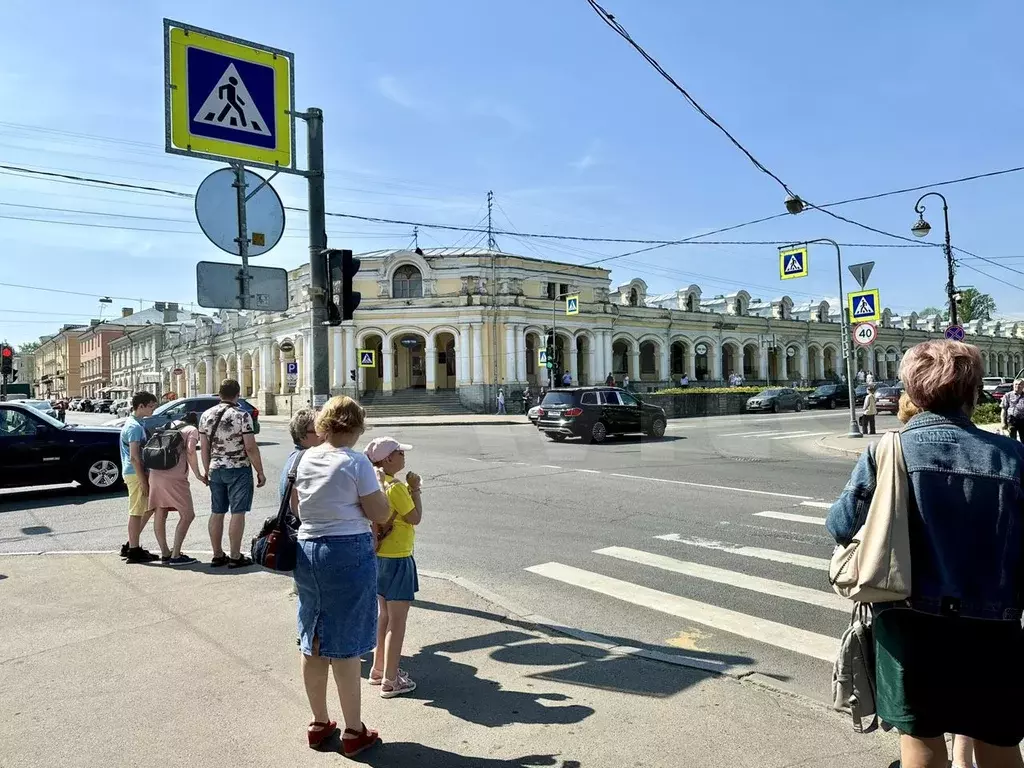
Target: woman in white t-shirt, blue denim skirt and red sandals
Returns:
[[337, 496]]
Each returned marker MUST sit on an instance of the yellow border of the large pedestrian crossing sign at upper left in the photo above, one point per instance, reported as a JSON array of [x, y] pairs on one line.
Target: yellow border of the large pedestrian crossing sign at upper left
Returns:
[[183, 139]]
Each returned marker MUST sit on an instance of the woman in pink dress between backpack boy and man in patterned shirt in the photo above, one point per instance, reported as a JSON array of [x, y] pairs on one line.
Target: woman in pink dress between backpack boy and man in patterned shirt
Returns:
[[169, 491]]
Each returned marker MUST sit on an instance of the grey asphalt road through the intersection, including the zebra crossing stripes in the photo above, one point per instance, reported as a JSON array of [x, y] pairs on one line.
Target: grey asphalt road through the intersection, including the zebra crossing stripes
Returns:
[[707, 544]]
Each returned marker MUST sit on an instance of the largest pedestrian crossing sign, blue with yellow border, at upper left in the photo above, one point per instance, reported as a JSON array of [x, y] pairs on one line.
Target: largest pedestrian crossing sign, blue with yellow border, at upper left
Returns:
[[228, 99]]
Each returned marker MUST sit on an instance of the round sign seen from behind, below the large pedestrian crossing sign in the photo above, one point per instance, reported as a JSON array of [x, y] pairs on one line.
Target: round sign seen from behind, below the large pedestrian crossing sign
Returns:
[[218, 212]]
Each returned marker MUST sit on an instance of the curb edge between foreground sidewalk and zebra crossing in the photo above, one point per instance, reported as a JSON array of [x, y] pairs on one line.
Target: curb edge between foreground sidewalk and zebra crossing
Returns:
[[755, 679]]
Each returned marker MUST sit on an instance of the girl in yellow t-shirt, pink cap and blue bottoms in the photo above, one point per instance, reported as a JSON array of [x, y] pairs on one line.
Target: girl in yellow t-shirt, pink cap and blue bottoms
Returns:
[[398, 582]]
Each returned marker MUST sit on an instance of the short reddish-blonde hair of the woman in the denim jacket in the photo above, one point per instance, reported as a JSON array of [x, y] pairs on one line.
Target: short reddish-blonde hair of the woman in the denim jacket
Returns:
[[943, 375]]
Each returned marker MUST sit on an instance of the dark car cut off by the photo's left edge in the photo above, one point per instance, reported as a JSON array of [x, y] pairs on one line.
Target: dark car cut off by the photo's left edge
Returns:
[[36, 450]]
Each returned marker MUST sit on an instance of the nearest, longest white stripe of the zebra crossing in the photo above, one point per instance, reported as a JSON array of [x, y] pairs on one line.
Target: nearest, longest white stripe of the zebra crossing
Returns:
[[763, 630]]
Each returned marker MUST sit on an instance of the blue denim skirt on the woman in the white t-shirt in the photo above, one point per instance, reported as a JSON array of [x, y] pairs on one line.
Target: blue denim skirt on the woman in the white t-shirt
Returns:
[[336, 579]]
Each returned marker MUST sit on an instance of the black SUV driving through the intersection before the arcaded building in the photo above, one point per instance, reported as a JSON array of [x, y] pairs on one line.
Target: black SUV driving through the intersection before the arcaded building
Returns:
[[594, 413]]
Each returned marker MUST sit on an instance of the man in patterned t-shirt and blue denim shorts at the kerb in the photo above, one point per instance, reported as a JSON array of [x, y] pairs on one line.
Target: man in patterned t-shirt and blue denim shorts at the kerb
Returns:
[[230, 454]]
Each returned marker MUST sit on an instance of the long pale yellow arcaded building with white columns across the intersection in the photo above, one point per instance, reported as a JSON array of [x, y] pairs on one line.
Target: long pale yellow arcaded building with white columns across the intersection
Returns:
[[471, 322]]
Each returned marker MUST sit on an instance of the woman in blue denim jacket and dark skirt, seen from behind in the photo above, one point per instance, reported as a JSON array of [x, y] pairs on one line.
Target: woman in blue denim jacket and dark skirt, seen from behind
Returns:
[[952, 659]]
